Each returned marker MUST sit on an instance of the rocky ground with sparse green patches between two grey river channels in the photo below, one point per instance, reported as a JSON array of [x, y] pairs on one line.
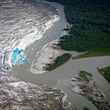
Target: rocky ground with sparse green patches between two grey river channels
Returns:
[[84, 84]]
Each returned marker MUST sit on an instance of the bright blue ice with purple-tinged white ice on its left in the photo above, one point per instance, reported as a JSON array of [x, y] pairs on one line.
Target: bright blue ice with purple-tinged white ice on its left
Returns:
[[17, 57]]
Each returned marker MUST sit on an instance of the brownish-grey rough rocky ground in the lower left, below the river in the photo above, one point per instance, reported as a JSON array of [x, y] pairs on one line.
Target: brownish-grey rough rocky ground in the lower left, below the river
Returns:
[[19, 95]]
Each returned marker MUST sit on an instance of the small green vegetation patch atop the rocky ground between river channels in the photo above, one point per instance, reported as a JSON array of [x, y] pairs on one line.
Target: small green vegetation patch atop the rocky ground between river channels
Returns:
[[85, 76]]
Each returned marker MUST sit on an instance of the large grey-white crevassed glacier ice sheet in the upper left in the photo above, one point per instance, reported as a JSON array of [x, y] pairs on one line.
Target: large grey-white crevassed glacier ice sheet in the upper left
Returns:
[[22, 23]]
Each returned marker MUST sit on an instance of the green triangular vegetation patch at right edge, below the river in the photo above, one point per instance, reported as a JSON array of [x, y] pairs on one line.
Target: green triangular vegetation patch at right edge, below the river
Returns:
[[105, 72]]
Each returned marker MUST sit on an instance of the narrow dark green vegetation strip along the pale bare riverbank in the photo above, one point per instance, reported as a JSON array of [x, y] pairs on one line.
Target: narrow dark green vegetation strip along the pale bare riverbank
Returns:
[[58, 62]]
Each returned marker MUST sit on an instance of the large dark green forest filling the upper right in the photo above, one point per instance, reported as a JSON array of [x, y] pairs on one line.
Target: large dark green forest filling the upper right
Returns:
[[90, 24]]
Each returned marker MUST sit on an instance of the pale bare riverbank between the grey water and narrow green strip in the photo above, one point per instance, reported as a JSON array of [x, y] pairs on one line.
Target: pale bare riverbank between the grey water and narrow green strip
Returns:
[[46, 56]]
